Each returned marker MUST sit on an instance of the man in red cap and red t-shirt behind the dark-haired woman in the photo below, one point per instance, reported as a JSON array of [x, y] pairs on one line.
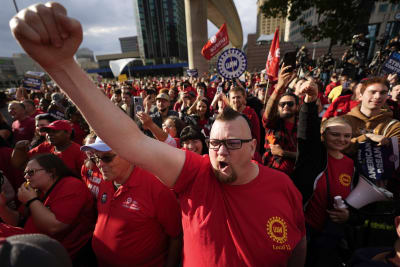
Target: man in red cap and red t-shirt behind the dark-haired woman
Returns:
[[58, 143]]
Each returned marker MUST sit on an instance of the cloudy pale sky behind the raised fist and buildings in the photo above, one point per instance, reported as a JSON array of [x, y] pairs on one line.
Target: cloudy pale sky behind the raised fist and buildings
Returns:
[[105, 21]]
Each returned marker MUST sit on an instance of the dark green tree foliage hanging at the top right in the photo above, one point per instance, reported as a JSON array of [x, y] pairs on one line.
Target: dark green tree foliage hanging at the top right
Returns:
[[337, 20]]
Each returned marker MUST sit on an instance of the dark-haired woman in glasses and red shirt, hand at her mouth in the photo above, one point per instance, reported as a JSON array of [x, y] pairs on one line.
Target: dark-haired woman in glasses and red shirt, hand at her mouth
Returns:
[[54, 202]]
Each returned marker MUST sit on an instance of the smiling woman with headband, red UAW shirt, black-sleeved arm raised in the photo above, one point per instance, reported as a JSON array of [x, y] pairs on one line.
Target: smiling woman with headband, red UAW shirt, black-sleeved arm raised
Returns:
[[322, 172]]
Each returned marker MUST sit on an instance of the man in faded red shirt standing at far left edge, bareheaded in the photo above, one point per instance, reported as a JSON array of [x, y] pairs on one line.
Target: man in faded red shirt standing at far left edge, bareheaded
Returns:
[[23, 126]]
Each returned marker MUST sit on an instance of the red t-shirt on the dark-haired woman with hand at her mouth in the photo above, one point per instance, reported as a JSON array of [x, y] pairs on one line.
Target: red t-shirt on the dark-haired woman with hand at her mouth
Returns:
[[71, 202]]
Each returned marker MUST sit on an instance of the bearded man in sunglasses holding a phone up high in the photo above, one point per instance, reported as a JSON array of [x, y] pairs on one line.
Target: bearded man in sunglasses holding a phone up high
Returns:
[[280, 123]]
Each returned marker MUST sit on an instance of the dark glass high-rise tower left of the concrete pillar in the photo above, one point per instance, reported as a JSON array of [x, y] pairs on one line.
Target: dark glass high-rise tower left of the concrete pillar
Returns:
[[161, 30]]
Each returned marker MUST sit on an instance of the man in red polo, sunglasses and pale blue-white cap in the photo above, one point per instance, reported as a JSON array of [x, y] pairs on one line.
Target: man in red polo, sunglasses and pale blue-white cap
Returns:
[[138, 218]]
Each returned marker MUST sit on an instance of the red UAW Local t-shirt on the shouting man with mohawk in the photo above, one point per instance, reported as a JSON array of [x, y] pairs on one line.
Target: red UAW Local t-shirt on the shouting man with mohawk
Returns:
[[255, 224]]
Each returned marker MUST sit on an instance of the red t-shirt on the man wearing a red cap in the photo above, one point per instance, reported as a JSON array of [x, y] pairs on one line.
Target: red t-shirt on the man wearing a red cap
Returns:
[[73, 157]]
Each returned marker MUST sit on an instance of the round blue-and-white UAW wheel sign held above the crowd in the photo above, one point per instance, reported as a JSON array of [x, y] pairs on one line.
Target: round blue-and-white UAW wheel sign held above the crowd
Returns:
[[232, 63]]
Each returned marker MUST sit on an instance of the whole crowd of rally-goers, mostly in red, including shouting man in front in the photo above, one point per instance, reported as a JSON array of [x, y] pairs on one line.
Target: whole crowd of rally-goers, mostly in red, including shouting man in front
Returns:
[[194, 171]]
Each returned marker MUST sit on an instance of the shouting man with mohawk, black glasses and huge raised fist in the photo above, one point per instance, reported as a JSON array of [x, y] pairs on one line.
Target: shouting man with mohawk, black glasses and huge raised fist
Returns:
[[235, 212]]
